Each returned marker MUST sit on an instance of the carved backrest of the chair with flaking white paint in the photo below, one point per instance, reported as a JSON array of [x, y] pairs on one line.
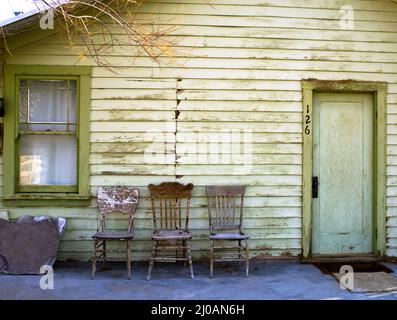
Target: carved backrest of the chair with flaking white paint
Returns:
[[117, 199]]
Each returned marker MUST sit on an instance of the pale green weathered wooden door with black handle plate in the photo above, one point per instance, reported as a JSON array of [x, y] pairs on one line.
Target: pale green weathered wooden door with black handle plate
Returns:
[[343, 163]]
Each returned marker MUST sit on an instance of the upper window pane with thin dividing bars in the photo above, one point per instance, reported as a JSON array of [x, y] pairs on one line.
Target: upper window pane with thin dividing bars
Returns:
[[49, 103]]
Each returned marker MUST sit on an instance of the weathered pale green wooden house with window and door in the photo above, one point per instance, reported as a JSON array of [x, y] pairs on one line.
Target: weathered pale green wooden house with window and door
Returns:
[[287, 97]]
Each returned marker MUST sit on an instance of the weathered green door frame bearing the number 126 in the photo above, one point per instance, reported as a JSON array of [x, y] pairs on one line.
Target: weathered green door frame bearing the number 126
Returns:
[[379, 91]]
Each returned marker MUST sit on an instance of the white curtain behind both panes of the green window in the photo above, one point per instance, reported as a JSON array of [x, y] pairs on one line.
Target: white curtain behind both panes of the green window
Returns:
[[47, 159]]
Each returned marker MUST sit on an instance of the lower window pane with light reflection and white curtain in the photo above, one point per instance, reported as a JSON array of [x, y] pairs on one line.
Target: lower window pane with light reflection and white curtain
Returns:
[[48, 160]]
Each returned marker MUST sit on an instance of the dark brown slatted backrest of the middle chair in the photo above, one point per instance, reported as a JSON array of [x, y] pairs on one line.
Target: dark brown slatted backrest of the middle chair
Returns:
[[170, 205]]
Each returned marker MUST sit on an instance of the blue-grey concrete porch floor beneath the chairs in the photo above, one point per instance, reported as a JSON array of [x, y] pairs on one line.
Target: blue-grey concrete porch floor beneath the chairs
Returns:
[[268, 280]]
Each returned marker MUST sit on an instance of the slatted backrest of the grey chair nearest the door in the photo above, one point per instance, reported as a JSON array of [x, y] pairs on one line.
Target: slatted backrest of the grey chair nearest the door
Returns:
[[225, 207]]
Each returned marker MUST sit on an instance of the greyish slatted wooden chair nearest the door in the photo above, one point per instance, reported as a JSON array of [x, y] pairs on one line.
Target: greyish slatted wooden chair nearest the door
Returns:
[[225, 215]]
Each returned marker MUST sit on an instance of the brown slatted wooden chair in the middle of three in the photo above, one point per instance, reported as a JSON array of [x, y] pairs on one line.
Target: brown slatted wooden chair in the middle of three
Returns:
[[171, 209]]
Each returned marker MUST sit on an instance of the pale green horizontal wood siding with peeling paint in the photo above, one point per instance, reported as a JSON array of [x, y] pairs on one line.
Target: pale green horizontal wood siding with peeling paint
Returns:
[[236, 65]]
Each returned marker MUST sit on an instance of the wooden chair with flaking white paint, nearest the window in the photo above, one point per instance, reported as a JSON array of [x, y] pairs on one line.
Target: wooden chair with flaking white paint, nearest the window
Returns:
[[114, 199]]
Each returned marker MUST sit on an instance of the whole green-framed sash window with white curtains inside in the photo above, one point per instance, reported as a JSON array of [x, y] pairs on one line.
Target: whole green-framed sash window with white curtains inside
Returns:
[[46, 145]]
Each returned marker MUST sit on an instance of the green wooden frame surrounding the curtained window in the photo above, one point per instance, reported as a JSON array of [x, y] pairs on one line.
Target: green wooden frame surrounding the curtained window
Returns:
[[11, 189]]
